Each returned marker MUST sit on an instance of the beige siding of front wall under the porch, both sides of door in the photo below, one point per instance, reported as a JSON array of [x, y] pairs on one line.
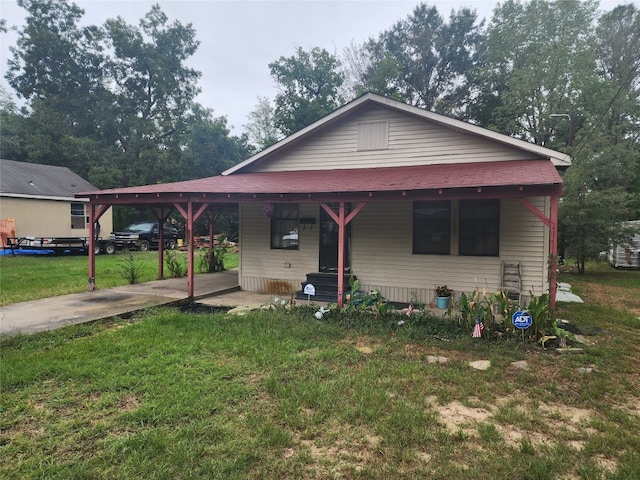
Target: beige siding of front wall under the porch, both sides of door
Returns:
[[382, 258]]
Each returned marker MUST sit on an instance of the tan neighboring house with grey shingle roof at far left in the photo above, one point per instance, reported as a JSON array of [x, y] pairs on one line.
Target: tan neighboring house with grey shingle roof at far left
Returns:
[[41, 200]]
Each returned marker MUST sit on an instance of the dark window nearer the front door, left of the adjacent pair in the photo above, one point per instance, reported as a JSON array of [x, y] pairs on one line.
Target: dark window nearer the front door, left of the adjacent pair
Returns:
[[432, 227]]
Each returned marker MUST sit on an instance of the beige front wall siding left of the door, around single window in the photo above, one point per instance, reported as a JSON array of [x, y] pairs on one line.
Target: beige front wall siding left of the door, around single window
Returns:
[[277, 271]]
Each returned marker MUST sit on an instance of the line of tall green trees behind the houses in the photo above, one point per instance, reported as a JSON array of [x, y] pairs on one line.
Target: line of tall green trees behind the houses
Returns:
[[116, 103]]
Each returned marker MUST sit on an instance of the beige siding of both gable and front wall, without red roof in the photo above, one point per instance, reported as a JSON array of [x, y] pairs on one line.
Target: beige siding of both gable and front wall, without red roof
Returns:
[[381, 239]]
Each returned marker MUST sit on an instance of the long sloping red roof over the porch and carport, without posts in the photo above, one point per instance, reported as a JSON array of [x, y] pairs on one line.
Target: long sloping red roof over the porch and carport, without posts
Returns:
[[423, 177]]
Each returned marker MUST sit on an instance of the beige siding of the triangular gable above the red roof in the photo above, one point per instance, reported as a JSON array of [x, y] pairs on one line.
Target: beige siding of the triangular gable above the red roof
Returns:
[[412, 141]]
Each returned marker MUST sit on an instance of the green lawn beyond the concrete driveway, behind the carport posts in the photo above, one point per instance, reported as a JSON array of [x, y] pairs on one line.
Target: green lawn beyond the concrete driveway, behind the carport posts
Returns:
[[25, 278]]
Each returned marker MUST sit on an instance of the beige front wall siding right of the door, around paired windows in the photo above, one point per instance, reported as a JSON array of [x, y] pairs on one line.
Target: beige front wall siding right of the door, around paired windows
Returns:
[[382, 254]]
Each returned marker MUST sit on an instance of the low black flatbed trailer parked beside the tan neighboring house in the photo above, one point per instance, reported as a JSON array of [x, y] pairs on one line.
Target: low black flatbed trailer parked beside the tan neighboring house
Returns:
[[58, 245]]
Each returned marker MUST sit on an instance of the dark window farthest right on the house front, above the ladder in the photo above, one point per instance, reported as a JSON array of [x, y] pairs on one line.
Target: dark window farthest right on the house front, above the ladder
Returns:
[[479, 227]]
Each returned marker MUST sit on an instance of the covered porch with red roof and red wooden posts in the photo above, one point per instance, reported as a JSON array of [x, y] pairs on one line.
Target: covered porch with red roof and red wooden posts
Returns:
[[333, 190]]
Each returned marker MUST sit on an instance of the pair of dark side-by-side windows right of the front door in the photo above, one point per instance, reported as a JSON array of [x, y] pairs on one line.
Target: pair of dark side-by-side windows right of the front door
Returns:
[[474, 227]]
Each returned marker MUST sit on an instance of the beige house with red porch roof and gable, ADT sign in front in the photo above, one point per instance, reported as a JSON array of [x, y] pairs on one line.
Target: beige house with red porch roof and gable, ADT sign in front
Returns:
[[400, 197]]
